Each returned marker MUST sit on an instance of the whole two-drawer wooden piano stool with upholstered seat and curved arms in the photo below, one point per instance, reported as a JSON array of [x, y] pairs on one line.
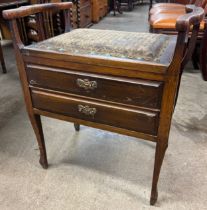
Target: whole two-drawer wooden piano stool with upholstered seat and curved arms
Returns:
[[122, 82]]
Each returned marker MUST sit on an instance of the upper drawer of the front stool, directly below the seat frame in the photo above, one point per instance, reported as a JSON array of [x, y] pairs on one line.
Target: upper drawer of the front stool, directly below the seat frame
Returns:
[[126, 91]]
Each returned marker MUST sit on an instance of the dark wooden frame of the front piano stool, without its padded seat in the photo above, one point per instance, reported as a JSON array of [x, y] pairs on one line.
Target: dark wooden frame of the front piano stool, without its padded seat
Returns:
[[149, 120]]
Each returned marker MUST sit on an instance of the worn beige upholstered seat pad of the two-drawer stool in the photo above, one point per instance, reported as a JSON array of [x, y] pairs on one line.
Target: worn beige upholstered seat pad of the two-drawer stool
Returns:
[[109, 43]]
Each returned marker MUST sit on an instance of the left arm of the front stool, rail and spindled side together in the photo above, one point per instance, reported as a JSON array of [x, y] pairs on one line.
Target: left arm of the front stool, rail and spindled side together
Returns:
[[42, 21]]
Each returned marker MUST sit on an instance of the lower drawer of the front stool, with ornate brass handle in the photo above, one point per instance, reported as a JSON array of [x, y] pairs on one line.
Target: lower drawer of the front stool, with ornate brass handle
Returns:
[[102, 113]]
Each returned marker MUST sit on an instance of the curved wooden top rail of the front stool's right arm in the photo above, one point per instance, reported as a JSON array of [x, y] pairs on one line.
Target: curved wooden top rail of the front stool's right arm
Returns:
[[194, 16]]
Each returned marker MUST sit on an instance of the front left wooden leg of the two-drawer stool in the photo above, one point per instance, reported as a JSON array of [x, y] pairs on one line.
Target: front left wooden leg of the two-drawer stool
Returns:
[[37, 126]]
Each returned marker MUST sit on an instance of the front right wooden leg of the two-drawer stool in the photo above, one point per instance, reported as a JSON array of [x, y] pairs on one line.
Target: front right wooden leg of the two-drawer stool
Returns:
[[159, 156]]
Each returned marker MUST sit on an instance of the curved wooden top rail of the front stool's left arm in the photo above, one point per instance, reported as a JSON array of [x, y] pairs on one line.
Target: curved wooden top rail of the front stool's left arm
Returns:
[[33, 9]]
